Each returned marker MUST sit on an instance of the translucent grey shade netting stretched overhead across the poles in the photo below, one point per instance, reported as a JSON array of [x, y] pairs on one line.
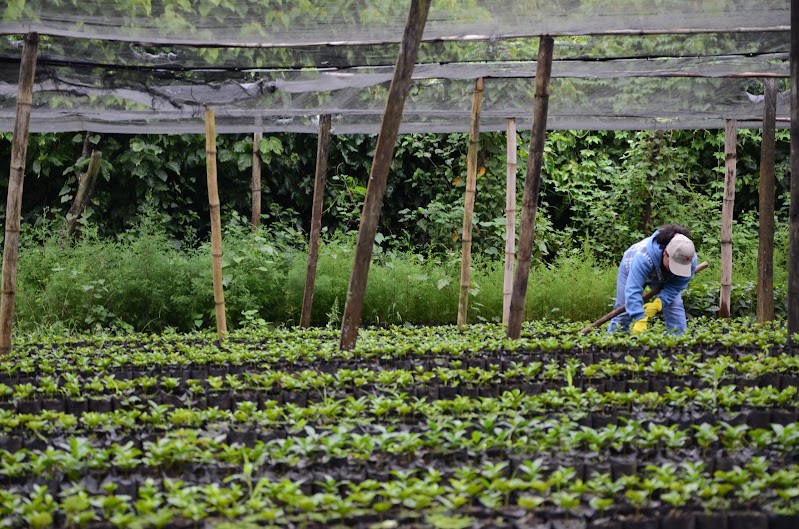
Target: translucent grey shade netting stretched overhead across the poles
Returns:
[[154, 66]]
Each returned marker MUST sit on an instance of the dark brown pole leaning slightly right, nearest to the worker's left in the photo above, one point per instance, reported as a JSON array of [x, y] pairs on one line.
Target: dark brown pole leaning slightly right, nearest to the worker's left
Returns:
[[532, 184]]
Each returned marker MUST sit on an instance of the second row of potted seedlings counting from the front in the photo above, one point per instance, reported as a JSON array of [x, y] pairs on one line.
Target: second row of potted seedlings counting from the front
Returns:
[[220, 445]]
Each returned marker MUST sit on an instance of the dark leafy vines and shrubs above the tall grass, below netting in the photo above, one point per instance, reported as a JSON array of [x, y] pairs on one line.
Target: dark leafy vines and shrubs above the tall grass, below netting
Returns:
[[606, 189]]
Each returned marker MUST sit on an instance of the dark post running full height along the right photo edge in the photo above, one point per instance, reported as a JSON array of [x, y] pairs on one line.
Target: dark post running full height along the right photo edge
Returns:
[[793, 214]]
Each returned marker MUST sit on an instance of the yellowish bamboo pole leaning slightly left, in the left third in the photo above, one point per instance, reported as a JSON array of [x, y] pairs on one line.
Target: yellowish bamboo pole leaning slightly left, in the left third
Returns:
[[216, 223]]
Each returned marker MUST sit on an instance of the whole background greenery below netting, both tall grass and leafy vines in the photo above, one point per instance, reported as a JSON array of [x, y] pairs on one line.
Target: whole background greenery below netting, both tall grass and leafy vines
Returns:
[[142, 260]]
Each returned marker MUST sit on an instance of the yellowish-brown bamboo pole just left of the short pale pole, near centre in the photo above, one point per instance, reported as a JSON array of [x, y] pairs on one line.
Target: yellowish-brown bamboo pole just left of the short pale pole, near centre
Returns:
[[468, 208]]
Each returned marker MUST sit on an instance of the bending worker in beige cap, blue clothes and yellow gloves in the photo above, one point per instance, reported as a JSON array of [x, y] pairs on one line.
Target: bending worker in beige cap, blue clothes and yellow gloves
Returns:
[[667, 259]]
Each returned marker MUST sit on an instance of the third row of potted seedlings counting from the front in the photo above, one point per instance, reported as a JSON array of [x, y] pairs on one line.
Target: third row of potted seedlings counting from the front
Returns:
[[756, 406]]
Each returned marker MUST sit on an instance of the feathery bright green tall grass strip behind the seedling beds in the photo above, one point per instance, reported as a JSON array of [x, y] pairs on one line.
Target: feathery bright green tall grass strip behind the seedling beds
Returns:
[[144, 281]]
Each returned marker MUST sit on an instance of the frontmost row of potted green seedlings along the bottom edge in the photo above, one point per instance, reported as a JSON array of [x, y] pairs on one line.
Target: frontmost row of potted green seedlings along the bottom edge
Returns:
[[530, 490]]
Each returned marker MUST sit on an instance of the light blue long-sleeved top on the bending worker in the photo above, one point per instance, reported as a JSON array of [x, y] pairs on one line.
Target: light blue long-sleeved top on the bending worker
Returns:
[[643, 262]]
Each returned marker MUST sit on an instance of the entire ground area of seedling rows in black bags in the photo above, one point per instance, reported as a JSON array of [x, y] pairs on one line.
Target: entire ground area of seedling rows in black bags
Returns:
[[434, 426]]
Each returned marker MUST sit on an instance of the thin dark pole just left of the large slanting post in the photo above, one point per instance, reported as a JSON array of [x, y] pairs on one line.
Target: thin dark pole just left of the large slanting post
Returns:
[[322, 149]]
